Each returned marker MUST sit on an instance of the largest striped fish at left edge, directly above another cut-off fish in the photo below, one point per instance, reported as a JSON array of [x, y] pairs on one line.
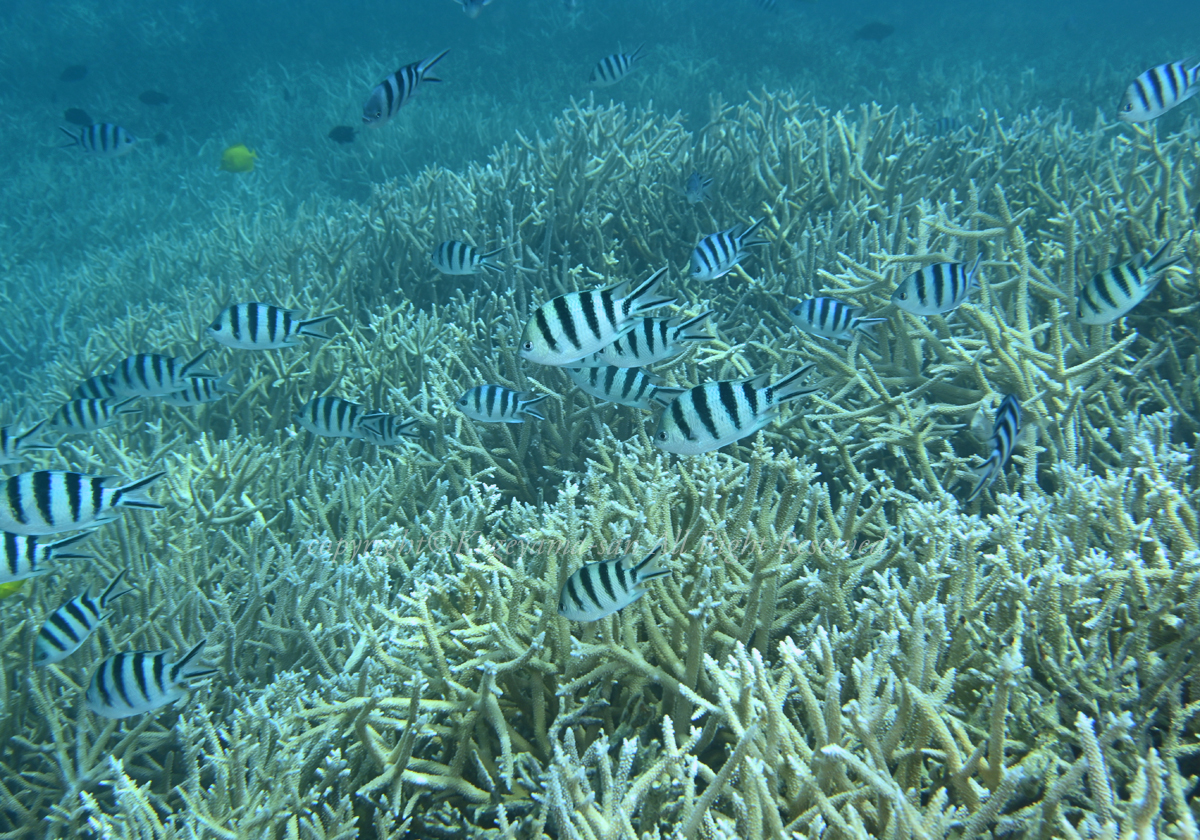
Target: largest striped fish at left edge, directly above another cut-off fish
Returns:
[[50, 501]]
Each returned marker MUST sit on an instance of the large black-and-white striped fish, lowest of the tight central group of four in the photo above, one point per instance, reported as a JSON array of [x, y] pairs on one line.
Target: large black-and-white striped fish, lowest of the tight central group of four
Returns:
[[718, 413]]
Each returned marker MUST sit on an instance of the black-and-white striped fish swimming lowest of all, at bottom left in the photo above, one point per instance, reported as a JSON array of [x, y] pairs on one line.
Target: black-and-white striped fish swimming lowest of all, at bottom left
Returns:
[[142, 681]]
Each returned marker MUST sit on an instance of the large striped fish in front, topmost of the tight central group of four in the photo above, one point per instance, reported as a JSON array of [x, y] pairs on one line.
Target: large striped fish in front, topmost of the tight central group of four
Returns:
[[573, 327]]
